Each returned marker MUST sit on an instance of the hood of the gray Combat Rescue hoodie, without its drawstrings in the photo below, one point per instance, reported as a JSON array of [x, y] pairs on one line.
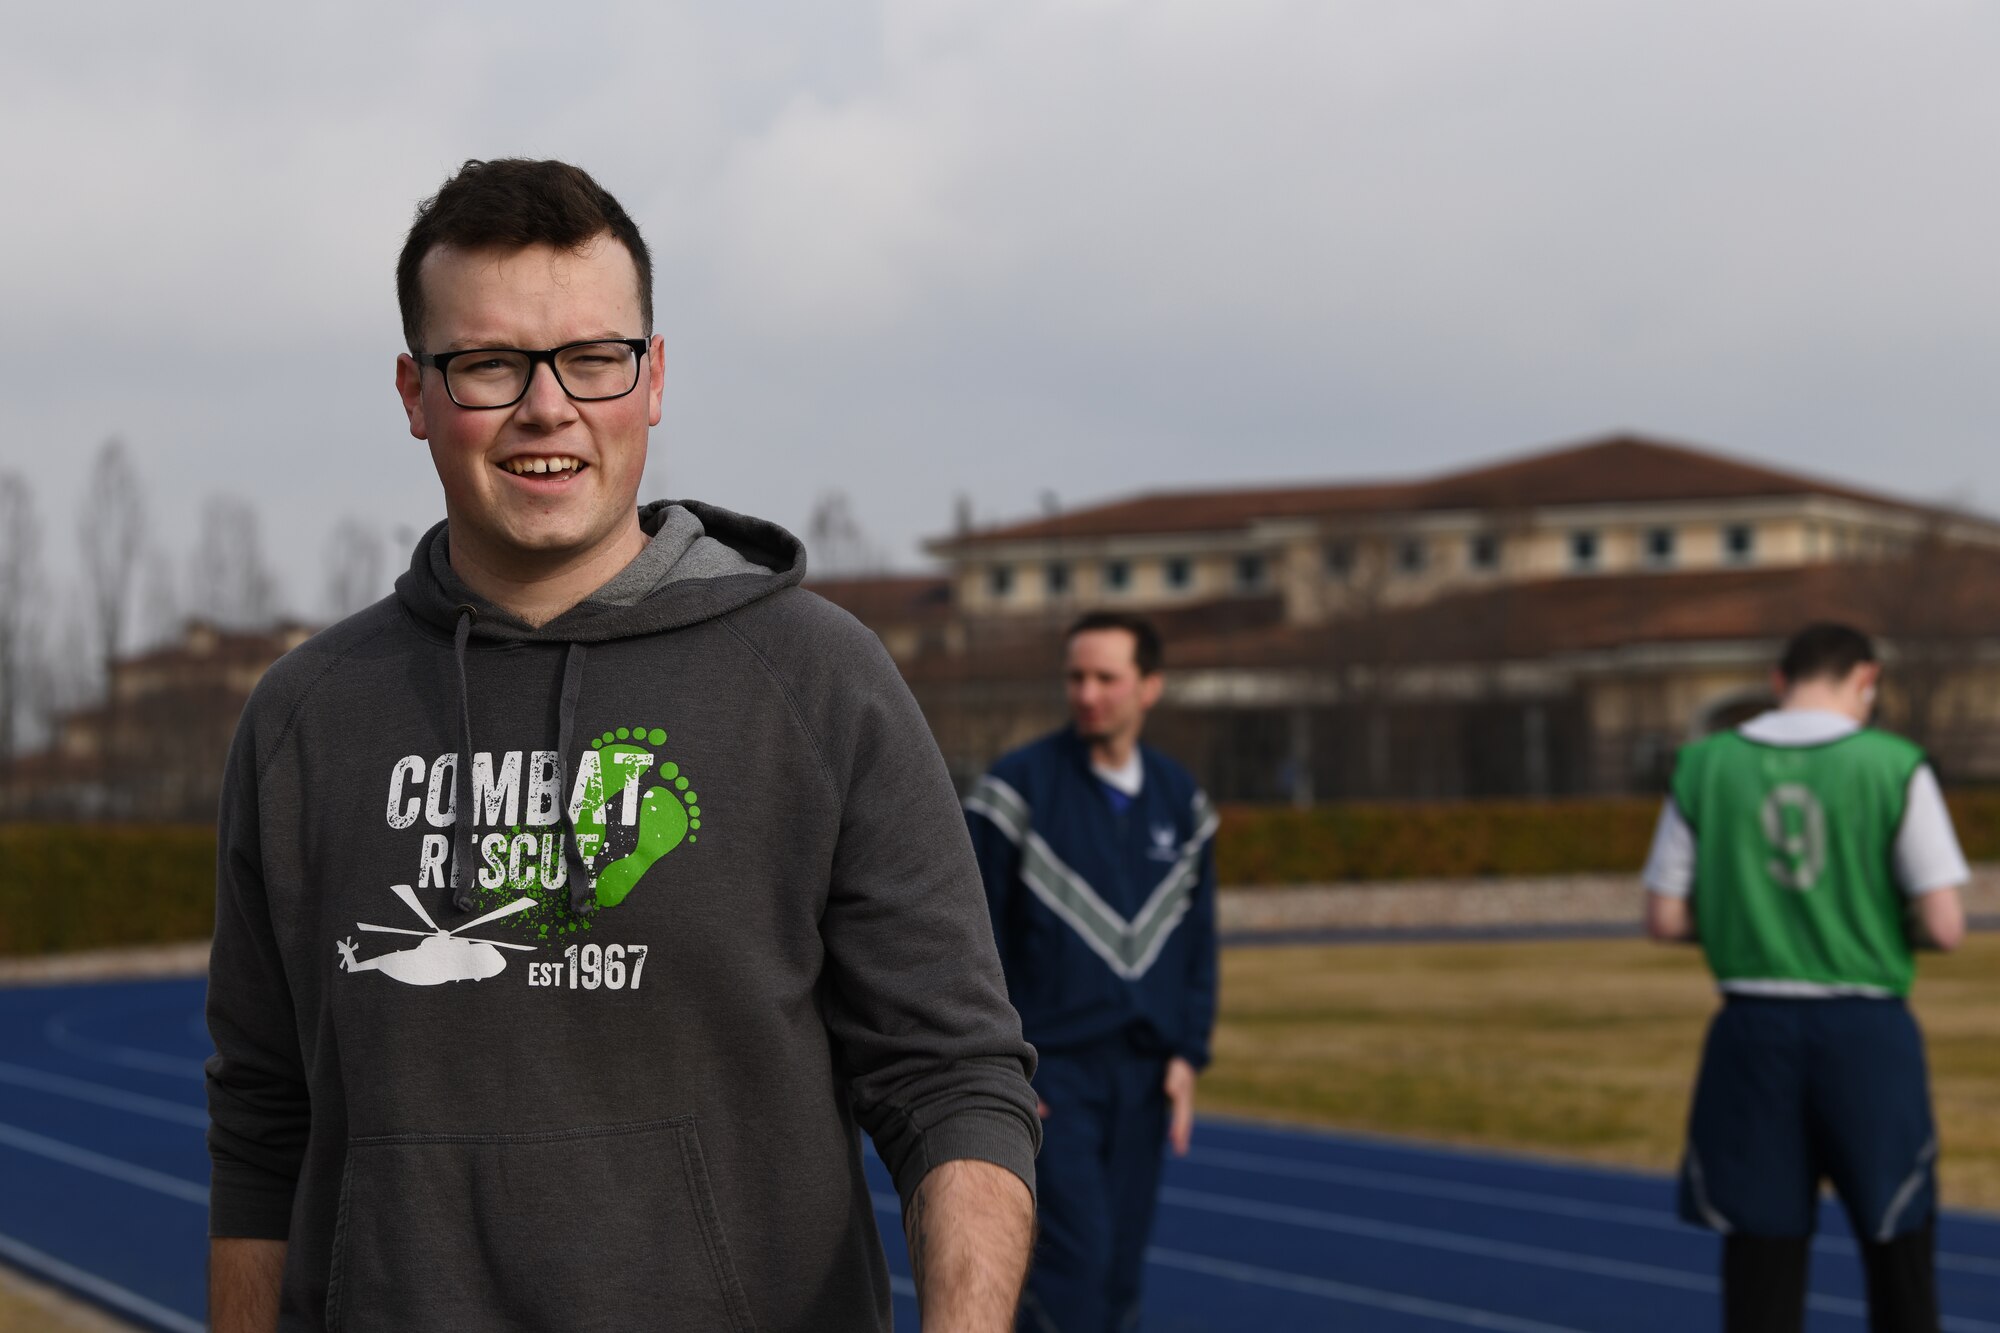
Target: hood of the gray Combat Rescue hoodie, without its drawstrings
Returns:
[[699, 563]]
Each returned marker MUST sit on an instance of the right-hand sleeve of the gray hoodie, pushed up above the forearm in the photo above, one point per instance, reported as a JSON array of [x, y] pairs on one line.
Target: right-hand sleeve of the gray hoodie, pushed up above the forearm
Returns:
[[917, 1004]]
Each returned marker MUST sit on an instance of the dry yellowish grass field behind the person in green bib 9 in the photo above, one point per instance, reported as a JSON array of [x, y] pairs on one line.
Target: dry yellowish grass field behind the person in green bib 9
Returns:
[[1573, 1048]]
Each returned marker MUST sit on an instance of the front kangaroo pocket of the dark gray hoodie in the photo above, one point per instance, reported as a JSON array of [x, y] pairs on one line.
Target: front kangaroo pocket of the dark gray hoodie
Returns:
[[607, 1230]]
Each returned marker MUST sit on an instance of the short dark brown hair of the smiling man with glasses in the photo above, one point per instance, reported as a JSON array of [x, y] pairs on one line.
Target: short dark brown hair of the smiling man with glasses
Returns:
[[511, 205]]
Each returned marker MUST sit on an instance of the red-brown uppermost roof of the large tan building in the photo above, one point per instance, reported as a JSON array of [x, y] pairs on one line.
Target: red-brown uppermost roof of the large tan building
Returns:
[[1623, 469]]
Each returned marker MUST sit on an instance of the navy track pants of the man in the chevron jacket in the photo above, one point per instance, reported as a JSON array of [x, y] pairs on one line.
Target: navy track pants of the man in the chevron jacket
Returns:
[[1097, 1182]]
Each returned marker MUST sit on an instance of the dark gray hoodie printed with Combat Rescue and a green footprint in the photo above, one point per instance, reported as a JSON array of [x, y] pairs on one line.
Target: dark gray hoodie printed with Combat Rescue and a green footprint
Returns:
[[583, 1034]]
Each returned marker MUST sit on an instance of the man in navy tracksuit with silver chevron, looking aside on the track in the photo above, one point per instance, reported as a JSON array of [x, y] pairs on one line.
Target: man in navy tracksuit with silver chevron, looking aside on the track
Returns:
[[1101, 878]]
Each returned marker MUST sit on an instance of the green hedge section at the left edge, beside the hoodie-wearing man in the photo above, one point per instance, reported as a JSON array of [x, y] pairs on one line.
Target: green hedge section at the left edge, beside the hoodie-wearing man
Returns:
[[99, 886]]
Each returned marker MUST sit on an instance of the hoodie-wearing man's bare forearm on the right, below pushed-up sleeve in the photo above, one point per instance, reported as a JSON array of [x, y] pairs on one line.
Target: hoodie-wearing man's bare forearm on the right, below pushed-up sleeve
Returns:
[[969, 1226]]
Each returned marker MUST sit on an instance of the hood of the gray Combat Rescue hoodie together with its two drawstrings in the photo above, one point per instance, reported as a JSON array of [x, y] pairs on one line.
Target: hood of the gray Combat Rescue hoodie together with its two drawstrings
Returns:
[[699, 563]]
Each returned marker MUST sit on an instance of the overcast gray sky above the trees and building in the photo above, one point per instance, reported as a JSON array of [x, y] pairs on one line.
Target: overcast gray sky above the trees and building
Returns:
[[1019, 247]]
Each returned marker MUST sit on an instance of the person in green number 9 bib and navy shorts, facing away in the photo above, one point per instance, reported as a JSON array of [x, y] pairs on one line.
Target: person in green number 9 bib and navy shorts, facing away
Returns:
[[1809, 856]]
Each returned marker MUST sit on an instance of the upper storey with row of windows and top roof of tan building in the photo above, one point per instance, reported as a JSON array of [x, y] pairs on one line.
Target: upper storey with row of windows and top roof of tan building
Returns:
[[1615, 507]]
